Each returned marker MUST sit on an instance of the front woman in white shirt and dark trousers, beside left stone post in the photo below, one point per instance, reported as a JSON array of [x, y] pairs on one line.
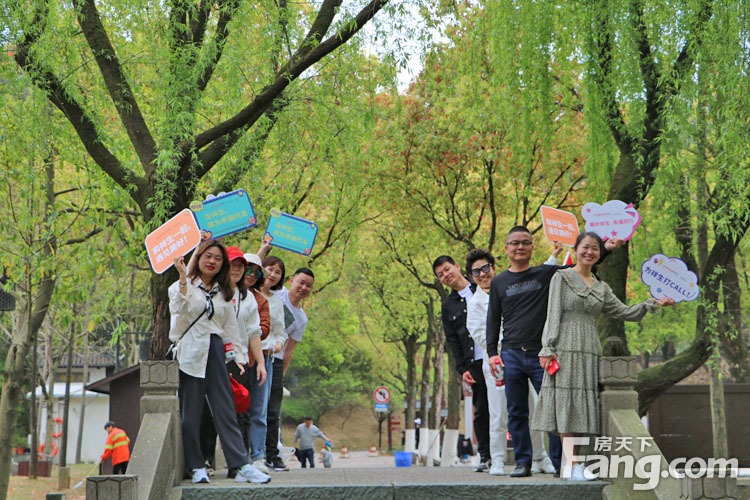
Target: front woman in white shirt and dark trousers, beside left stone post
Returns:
[[204, 326]]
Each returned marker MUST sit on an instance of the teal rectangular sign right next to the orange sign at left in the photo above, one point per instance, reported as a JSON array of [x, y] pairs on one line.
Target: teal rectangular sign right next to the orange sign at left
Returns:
[[225, 214]]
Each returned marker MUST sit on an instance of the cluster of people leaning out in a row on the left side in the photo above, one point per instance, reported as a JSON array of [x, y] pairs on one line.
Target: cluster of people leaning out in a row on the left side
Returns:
[[232, 317]]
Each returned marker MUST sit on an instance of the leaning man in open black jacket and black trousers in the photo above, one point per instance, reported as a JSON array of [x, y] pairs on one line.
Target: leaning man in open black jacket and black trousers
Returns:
[[466, 355]]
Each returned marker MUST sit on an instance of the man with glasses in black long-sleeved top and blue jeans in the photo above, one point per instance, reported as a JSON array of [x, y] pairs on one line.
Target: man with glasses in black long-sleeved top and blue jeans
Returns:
[[518, 303]]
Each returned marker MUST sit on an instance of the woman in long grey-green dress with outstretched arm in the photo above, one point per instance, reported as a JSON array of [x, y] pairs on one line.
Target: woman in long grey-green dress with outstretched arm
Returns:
[[569, 399]]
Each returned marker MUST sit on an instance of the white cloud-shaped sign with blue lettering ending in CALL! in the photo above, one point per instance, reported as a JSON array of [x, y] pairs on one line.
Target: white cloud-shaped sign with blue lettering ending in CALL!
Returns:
[[669, 277]]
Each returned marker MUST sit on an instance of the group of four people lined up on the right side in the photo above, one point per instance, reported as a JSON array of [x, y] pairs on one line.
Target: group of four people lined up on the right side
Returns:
[[507, 331]]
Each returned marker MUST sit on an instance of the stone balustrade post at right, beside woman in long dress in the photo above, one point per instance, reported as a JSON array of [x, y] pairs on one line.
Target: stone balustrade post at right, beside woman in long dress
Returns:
[[617, 376]]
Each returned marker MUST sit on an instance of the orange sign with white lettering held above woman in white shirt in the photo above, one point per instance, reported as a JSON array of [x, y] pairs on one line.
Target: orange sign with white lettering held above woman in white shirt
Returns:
[[174, 238]]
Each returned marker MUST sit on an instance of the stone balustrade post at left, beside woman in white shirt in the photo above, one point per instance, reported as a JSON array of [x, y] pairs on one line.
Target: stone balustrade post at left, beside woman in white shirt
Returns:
[[160, 381]]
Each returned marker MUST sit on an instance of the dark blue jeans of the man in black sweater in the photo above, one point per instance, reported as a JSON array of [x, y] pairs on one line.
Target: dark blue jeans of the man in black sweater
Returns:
[[520, 368]]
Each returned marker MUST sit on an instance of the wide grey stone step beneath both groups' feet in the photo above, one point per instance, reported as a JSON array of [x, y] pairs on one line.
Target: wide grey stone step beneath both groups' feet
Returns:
[[410, 483]]
